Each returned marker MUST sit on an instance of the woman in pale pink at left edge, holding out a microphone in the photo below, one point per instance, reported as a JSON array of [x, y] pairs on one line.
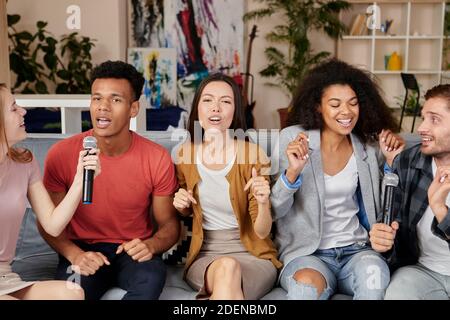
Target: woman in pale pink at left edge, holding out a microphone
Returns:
[[20, 180]]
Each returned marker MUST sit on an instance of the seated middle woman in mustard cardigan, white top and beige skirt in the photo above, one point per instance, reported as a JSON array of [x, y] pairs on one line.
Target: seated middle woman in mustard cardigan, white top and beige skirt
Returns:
[[224, 187]]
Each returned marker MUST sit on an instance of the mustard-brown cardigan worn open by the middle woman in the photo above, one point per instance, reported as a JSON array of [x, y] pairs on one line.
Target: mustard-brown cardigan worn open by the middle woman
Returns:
[[243, 202]]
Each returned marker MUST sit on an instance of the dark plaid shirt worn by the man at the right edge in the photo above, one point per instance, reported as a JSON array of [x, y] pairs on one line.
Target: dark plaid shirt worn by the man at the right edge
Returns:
[[411, 200]]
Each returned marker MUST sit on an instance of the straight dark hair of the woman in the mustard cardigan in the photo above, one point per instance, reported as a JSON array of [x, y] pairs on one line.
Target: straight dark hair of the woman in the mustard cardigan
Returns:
[[239, 113]]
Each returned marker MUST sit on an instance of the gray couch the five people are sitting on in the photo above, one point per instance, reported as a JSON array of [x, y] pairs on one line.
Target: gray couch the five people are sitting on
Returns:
[[35, 260]]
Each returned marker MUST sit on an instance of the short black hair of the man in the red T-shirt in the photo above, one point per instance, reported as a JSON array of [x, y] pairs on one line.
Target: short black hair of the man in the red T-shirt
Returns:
[[120, 70]]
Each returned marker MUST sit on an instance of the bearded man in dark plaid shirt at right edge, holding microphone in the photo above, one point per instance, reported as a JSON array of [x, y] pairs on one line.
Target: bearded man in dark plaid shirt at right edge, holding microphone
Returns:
[[418, 242]]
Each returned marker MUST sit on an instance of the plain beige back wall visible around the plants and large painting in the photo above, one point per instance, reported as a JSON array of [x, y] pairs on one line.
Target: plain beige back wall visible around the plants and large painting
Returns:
[[105, 20]]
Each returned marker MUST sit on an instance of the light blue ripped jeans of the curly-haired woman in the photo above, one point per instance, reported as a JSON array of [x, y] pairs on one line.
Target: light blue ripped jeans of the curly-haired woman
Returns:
[[354, 270]]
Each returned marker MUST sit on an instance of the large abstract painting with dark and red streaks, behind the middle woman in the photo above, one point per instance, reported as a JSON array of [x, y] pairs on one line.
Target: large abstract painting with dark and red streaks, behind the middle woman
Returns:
[[208, 36]]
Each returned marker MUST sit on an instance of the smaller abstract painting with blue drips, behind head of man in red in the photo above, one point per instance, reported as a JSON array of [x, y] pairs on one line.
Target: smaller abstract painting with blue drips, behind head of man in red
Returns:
[[158, 65]]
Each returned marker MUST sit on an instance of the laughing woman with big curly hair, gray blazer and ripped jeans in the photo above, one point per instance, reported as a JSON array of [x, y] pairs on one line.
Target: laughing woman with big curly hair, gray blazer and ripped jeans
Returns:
[[327, 193]]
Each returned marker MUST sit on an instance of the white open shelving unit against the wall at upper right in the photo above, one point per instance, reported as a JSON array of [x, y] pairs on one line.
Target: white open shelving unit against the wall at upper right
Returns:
[[416, 34]]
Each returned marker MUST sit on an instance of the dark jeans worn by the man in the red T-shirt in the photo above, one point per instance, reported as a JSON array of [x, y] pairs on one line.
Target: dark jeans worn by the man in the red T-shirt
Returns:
[[141, 280]]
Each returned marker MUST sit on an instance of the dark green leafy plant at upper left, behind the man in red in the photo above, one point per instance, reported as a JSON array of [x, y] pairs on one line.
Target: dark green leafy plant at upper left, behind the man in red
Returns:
[[39, 59]]
